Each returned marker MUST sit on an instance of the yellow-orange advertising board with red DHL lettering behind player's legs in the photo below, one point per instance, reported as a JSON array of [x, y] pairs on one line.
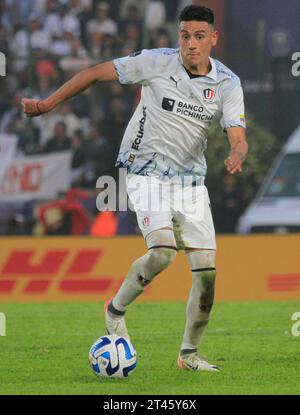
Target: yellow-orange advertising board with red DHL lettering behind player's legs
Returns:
[[249, 268]]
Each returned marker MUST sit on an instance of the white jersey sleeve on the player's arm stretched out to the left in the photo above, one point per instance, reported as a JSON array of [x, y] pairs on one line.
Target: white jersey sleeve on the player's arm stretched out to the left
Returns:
[[135, 68]]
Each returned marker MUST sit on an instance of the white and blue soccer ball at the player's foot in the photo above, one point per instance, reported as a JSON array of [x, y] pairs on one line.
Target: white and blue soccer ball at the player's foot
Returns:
[[112, 356]]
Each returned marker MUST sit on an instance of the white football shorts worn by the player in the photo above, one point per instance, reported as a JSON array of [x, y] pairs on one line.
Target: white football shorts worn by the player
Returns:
[[183, 207]]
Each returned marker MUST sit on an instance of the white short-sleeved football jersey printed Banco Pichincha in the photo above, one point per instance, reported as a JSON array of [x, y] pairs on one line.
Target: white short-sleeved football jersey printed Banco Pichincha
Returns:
[[167, 134]]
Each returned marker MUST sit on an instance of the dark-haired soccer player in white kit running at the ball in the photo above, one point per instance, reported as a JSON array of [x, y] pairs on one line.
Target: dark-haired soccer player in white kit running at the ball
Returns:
[[183, 91]]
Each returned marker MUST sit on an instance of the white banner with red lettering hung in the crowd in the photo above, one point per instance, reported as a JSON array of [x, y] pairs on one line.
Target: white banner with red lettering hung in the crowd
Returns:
[[36, 177]]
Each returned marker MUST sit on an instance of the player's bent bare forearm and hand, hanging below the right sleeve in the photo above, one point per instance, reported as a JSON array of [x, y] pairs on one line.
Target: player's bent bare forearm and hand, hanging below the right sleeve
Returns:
[[238, 151]]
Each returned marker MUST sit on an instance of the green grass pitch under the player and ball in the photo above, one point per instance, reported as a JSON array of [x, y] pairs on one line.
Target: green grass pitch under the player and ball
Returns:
[[46, 346]]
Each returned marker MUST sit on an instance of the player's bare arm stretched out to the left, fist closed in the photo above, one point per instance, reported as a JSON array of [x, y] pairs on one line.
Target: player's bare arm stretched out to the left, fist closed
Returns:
[[103, 72]]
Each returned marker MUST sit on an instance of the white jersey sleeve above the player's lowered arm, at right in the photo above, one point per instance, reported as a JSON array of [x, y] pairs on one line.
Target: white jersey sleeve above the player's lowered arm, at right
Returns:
[[233, 111]]
